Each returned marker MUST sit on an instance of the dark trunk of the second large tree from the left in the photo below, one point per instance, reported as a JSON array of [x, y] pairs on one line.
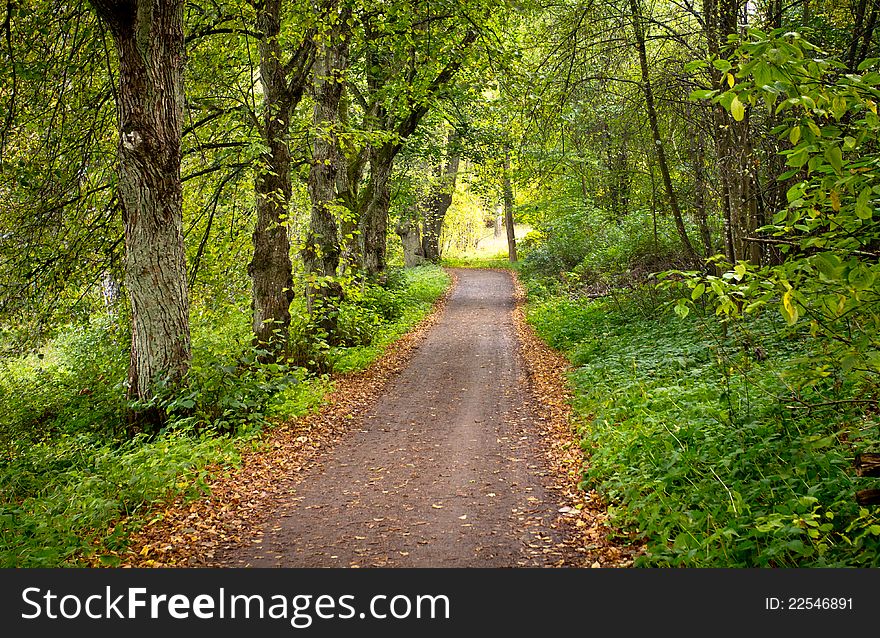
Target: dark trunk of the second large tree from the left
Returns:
[[271, 268]]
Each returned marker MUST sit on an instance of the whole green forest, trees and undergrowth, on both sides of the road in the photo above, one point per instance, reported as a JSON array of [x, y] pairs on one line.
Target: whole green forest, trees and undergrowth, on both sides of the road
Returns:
[[207, 208]]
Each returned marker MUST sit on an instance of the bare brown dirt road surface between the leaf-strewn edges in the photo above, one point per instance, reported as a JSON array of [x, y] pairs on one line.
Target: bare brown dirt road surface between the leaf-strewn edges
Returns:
[[444, 470]]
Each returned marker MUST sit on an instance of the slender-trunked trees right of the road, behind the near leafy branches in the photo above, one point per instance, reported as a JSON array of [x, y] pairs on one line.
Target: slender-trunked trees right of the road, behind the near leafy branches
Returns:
[[614, 115]]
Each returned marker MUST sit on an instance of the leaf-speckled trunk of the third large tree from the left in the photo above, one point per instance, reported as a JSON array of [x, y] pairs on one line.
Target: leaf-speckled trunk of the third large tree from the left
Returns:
[[322, 249]]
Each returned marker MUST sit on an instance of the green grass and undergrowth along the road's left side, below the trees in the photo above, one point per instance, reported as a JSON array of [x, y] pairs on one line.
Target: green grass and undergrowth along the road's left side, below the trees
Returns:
[[68, 469]]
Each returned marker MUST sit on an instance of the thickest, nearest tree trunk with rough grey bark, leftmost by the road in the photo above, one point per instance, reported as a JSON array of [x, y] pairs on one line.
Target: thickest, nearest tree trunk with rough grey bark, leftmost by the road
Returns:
[[150, 43]]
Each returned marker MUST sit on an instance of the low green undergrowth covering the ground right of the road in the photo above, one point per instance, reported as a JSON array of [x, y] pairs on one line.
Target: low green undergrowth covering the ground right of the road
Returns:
[[688, 439]]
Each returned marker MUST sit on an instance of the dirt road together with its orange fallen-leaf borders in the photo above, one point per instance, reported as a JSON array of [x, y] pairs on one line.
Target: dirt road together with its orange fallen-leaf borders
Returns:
[[454, 450]]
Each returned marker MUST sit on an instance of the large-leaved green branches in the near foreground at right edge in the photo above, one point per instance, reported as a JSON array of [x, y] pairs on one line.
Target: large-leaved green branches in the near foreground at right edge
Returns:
[[829, 230]]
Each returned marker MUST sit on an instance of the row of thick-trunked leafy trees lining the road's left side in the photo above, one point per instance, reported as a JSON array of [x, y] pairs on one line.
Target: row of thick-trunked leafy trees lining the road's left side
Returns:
[[311, 102]]
